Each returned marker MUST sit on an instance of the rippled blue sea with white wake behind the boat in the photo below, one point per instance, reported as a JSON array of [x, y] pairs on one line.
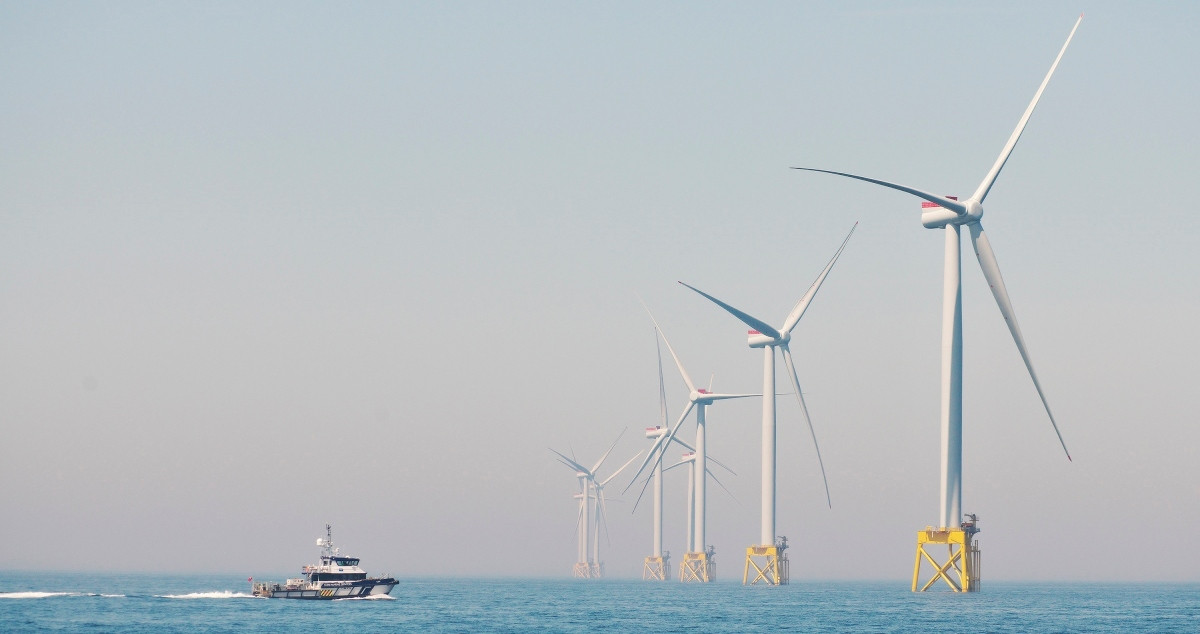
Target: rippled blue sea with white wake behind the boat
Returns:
[[56, 602]]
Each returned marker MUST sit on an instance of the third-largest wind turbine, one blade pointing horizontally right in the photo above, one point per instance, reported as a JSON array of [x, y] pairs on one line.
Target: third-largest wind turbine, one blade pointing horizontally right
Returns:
[[699, 399]]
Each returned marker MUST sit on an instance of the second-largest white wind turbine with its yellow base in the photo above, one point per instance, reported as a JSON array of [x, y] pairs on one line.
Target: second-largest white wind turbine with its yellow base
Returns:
[[764, 336]]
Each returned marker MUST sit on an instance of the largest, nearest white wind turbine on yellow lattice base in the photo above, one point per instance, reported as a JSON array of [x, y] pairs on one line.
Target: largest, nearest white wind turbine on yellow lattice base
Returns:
[[950, 214]]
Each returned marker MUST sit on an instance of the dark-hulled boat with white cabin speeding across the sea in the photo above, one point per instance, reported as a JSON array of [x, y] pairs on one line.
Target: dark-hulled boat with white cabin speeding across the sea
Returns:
[[338, 577]]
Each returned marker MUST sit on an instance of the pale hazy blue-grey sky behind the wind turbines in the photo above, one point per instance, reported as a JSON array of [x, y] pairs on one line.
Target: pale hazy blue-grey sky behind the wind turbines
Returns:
[[271, 266]]
